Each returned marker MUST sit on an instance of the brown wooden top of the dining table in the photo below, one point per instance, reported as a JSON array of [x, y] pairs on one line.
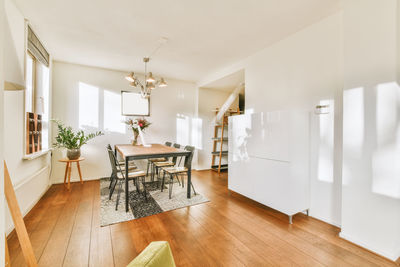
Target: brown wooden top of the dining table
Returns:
[[130, 150]]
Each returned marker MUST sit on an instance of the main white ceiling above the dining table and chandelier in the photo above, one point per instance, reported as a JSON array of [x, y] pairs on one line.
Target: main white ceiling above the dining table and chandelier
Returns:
[[203, 35]]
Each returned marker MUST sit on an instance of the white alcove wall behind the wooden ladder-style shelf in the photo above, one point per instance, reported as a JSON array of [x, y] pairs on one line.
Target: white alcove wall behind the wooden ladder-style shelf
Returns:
[[209, 100]]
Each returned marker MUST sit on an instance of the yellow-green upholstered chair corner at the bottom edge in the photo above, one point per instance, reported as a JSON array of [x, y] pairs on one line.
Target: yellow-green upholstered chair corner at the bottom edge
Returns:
[[156, 254]]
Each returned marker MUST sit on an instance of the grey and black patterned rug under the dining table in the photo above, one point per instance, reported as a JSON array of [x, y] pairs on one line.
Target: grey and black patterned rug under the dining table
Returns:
[[157, 201]]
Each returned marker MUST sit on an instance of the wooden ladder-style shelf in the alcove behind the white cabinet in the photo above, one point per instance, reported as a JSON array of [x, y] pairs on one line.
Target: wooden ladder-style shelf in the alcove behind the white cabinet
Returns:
[[219, 139]]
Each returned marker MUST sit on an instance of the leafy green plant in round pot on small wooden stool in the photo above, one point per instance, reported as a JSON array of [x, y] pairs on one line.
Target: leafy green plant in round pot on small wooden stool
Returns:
[[72, 141]]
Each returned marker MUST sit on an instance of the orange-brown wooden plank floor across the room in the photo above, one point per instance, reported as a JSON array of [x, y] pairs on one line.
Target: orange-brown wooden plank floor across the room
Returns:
[[230, 230]]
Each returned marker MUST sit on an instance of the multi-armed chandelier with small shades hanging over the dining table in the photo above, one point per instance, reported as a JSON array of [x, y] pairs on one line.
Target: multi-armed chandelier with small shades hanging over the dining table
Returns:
[[149, 83]]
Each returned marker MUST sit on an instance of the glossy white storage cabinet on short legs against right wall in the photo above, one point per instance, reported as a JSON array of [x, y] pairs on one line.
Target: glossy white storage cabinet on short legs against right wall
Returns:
[[269, 159]]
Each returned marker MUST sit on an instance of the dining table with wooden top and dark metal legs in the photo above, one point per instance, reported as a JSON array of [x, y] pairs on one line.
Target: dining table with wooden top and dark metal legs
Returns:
[[137, 152]]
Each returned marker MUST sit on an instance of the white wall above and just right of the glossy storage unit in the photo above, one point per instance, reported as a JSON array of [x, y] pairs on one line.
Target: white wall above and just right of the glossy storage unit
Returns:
[[297, 73]]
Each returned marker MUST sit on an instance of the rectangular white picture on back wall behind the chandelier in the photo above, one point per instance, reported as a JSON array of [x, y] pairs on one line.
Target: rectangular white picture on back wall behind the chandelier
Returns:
[[133, 104]]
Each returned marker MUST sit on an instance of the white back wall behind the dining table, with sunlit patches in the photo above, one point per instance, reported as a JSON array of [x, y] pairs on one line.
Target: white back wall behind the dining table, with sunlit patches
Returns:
[[173, 112]]
